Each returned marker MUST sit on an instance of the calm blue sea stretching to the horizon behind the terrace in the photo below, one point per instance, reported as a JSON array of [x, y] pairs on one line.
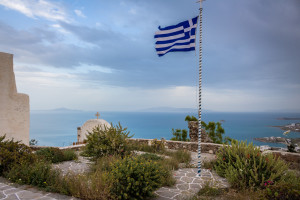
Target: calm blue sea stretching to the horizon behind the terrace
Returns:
[[59, 128]]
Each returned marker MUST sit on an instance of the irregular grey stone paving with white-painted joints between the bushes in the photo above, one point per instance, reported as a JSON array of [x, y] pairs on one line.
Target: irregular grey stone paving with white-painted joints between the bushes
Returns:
[[187, 182]]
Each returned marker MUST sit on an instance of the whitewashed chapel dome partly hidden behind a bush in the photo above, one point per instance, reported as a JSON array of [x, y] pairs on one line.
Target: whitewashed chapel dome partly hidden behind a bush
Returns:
[[88, 126]]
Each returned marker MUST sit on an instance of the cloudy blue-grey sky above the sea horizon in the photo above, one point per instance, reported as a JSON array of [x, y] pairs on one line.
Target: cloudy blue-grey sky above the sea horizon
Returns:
[[99, 55]]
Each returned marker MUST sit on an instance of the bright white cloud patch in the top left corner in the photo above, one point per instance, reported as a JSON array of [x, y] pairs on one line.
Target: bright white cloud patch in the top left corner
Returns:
[[37, 9]]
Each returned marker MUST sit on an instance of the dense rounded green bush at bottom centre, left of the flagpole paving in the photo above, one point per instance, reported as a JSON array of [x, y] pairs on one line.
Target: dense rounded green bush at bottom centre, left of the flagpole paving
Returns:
[[136, 177]]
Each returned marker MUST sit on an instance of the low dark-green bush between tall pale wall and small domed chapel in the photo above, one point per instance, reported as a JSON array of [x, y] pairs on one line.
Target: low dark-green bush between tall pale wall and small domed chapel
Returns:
[[55, 155]]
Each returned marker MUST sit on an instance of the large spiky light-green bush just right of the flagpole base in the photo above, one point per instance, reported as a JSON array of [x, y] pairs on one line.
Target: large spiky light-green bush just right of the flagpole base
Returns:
[[244, 166]]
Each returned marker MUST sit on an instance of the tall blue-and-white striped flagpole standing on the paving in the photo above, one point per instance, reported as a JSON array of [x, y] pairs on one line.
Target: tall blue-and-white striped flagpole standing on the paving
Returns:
[[200, 85]]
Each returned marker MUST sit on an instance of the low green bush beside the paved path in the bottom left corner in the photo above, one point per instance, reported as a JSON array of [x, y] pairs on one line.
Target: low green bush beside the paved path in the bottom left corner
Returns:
[[37, 173]]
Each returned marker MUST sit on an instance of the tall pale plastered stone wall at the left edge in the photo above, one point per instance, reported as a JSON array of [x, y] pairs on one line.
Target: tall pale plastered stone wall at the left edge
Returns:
[[14, 107]]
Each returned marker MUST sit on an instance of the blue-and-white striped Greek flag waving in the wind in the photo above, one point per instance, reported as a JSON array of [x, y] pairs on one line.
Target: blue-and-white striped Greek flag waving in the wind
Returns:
[[180, 37]]
